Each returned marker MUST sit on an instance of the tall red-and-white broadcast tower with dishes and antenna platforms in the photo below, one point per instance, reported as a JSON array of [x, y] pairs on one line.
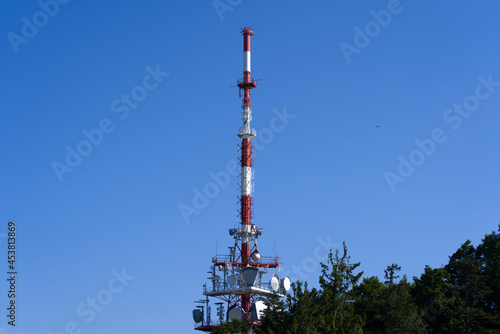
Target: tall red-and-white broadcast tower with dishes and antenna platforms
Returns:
[[237, 278]]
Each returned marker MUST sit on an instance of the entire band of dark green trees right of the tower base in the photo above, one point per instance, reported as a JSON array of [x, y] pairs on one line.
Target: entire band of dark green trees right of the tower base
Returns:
[[462, 297]]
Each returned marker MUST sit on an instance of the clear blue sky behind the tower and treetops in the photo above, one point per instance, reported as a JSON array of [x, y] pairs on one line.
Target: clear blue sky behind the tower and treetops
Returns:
[[377, 120]]
